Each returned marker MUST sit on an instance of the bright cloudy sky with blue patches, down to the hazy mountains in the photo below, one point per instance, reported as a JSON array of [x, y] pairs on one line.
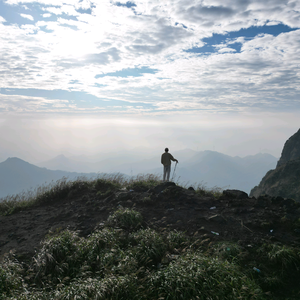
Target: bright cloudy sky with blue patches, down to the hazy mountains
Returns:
[[86, 77]]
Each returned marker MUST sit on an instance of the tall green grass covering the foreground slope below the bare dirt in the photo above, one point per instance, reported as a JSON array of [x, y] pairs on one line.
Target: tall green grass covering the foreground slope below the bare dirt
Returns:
[[114, 263]]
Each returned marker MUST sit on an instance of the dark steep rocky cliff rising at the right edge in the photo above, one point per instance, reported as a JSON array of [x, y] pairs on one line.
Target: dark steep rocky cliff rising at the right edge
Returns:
[[284, 181]]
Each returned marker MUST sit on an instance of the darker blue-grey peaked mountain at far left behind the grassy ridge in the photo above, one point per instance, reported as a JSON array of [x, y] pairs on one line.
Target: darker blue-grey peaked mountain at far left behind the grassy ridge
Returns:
[[17, 175]]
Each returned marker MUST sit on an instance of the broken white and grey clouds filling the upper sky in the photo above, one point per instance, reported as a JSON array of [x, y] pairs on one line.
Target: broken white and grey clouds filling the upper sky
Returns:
[[68, 51]]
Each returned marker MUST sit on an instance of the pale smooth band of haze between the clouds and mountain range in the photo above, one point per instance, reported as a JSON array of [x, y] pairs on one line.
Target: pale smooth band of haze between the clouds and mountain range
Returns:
[[39, 139]]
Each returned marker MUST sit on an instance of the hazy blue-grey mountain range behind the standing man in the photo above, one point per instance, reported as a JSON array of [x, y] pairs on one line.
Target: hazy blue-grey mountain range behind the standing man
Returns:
[[208, 168]]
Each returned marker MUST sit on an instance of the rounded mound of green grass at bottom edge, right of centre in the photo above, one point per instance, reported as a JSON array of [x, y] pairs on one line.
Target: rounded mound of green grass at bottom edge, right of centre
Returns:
[[195, 276]]
